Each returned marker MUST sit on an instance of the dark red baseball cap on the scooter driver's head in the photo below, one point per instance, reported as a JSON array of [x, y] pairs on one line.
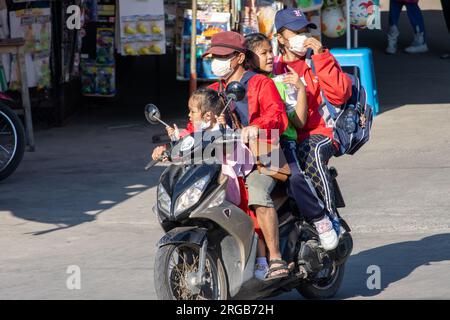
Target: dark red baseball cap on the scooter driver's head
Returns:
[[225, 43]]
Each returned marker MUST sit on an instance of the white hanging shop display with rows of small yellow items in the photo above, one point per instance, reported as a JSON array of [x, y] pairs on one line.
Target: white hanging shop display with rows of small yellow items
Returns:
[[142, 27]]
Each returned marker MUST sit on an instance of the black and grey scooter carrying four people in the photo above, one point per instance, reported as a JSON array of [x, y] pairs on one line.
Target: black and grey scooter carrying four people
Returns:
[[209, 247]]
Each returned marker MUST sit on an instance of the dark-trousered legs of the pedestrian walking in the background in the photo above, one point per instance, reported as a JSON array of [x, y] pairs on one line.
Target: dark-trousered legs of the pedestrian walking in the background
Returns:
[[415, 18]]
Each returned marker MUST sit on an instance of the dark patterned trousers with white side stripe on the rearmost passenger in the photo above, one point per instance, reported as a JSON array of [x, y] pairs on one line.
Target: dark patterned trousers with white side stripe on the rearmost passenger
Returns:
[[314, 154]]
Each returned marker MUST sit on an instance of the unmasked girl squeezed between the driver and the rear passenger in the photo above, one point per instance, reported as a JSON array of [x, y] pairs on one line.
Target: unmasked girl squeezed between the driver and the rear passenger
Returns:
[[293, 92]]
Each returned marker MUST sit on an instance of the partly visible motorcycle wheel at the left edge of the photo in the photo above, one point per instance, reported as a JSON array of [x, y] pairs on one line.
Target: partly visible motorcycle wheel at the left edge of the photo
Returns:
[[12, 141]]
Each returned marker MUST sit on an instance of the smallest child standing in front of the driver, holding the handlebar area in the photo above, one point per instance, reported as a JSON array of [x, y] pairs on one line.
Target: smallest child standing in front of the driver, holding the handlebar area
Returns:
[[205, 106]]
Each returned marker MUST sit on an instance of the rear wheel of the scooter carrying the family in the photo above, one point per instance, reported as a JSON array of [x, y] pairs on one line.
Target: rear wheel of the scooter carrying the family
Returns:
[[325, 287]]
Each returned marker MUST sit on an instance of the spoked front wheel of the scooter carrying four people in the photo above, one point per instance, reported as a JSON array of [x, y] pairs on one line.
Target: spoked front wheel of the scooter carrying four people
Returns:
[[175, 265]]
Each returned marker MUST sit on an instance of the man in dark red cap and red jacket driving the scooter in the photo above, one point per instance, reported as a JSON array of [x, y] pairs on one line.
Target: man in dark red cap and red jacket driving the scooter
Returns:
[[265, 112]]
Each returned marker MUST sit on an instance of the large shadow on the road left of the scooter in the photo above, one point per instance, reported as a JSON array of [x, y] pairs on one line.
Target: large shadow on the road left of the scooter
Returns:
[[78, 172]]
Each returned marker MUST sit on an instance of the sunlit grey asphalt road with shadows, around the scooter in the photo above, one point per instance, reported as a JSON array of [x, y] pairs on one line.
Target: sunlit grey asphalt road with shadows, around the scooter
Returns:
[[83, 199]]
